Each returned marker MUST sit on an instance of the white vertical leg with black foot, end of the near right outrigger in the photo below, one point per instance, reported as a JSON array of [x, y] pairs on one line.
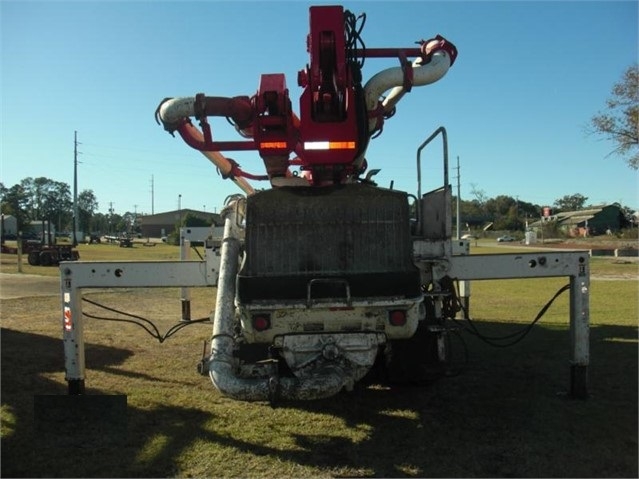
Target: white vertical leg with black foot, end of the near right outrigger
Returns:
[[579, 330]]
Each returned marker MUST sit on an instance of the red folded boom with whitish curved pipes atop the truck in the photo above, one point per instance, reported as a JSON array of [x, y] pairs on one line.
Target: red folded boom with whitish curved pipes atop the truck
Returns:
[[338, 114]]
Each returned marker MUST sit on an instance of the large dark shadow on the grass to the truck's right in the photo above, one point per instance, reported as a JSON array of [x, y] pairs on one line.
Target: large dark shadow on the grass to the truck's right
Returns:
[[507, 415]]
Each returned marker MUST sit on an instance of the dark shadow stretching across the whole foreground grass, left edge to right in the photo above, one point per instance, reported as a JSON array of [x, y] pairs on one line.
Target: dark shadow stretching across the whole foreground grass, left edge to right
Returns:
[[506, 415]]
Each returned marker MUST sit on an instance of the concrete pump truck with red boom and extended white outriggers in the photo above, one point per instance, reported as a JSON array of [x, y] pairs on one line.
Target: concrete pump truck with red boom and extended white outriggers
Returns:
[[325, 279]]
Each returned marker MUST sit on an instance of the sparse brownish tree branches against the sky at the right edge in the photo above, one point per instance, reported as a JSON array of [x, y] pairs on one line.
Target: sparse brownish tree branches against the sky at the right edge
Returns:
[[620, 121]]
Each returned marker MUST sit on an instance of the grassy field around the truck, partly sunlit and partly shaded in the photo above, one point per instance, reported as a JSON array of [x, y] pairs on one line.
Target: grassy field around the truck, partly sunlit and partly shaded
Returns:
[[506, 414]]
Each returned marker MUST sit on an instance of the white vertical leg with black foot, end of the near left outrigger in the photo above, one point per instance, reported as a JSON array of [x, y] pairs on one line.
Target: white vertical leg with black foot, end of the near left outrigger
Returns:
[[73, 335]]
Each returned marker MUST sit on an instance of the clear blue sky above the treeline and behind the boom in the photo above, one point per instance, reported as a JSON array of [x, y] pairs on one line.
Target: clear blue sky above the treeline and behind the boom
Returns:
[[528, 78]]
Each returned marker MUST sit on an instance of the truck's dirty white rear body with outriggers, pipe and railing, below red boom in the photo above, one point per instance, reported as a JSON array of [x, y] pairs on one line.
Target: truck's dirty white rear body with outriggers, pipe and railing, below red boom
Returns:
[[328, 342]]
